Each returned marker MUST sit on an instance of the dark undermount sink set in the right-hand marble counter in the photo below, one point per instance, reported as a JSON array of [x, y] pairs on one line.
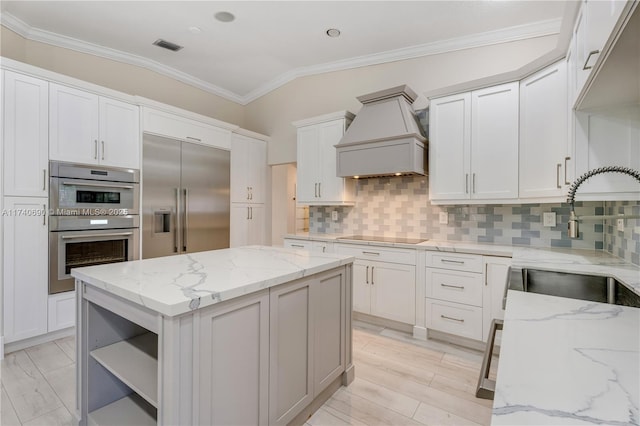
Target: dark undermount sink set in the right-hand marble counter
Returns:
[[575, 286]]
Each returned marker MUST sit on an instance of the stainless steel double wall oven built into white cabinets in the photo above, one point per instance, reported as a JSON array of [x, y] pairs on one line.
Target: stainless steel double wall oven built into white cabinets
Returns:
[[94, 219]]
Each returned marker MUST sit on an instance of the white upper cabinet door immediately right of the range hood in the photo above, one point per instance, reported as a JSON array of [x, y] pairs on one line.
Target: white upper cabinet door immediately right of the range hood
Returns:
[[449, 147]]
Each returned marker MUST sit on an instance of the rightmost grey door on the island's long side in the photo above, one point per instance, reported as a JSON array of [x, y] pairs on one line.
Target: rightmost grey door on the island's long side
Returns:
[[328, 295]]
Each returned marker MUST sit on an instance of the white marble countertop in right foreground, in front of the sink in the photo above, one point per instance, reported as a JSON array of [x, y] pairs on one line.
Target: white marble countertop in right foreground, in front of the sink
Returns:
[[567, 361]]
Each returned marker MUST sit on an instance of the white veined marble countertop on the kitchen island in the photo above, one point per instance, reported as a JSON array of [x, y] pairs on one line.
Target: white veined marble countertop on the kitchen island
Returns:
[[174, 285]]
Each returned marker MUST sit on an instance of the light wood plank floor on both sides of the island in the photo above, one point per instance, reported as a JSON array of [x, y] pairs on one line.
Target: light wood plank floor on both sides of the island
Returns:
[[399, 381]]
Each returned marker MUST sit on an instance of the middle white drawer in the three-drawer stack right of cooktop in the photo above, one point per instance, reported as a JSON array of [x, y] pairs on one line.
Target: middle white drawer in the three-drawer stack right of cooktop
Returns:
[[454, 286]]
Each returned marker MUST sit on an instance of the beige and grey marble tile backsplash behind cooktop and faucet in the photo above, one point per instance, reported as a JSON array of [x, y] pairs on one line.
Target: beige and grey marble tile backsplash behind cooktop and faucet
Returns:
[[399, 206]]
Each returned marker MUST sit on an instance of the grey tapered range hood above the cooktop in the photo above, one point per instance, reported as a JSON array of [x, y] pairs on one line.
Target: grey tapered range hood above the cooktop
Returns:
[[385, 138]]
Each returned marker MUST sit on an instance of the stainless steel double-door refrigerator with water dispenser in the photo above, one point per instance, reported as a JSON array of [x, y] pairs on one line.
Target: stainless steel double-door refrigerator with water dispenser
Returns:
[[185, 197]]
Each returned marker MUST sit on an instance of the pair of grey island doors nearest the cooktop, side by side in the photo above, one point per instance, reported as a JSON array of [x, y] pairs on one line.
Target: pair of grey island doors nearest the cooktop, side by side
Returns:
[[307, 332]]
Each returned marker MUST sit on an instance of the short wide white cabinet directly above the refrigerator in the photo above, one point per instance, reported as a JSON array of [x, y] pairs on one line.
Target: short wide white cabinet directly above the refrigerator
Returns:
[[170, 125]]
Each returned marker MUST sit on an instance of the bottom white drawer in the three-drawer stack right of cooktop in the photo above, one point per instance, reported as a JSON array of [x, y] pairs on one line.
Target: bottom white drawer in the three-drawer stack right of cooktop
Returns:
[[453, 318]]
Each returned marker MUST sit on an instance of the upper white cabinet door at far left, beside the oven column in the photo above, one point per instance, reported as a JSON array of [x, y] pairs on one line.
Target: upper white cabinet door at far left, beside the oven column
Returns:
[[26, 135]]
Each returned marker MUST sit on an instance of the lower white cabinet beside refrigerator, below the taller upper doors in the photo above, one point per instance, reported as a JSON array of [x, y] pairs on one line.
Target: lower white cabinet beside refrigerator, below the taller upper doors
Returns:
[[247, 225]]
